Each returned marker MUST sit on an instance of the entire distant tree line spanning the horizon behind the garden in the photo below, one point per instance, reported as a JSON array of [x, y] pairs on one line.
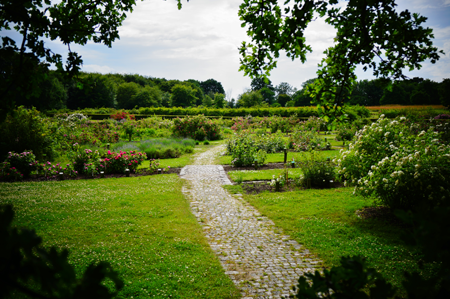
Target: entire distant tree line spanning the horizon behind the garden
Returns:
[[128, 91]]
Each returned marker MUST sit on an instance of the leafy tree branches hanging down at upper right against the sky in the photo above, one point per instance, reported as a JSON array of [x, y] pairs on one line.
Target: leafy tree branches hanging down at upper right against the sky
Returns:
[[370, 33]]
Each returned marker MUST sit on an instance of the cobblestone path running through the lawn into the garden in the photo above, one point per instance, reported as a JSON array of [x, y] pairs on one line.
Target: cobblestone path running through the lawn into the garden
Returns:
[[261, 261]]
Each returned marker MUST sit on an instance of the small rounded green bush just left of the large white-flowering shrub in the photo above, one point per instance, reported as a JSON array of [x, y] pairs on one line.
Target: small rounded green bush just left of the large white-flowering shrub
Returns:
[[316, 171]]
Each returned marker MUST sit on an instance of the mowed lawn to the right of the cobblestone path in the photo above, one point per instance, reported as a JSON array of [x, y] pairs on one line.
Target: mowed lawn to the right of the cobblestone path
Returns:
[[325, 222]]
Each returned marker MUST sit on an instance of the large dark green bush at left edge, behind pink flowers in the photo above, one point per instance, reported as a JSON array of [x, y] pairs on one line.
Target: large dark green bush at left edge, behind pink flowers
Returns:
[[26, 130]]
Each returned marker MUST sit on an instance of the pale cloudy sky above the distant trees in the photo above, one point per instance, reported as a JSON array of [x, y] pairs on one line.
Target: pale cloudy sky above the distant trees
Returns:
[[201, 41]]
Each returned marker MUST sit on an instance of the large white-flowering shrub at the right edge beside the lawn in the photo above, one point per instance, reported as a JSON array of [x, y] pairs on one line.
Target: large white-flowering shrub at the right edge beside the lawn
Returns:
[[400, 168]]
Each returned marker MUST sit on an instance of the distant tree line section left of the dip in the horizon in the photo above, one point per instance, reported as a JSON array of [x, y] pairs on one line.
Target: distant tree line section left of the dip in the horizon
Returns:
[[123, 91]]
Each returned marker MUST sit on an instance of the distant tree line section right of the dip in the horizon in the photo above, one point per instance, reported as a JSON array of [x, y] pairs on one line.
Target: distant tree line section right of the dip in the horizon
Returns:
[[415, 91]]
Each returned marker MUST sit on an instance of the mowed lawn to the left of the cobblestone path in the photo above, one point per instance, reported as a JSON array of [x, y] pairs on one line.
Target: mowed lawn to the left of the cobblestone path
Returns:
[[142, 226]]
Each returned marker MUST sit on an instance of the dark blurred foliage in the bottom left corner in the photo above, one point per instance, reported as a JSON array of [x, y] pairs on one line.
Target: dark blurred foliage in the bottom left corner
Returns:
[[29, 269]]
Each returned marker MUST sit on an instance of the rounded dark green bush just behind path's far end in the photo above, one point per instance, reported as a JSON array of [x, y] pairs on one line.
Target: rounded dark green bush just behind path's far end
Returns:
[[197, 127]]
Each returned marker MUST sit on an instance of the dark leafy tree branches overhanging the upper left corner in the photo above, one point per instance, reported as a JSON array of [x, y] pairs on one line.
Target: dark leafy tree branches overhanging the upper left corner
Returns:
[[67, 21]]
